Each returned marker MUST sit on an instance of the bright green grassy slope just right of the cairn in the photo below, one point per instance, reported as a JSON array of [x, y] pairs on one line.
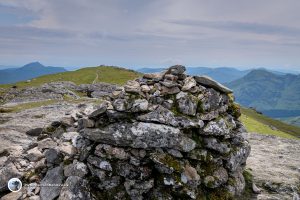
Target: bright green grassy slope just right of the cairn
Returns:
[[255, 122]]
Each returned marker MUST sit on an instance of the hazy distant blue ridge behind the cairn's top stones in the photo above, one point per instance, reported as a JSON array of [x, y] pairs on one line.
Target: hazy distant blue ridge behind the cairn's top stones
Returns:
[[220, 74]]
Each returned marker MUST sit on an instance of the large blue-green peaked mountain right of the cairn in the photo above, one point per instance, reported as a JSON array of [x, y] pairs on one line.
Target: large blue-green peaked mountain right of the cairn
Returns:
[[275, 95]]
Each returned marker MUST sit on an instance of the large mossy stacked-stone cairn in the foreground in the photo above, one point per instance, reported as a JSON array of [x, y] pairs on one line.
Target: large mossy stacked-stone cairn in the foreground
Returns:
[[167, 136]]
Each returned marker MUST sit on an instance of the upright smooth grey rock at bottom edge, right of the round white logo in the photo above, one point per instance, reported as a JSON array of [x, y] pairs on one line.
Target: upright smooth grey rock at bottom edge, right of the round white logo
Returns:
[[53, 176]]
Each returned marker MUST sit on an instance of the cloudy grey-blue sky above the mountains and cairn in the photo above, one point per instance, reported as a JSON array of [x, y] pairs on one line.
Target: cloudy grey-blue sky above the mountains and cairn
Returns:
[[151, 33]]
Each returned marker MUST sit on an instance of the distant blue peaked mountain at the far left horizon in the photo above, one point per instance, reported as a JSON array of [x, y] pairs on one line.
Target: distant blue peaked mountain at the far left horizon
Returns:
[[28, 71]]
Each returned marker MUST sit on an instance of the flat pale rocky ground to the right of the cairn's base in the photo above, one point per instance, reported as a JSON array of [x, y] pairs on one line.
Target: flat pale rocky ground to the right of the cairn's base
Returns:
[[275, 165]]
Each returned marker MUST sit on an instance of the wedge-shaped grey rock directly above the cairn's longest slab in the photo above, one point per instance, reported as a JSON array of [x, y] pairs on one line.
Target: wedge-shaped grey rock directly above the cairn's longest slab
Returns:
[[159, 115]]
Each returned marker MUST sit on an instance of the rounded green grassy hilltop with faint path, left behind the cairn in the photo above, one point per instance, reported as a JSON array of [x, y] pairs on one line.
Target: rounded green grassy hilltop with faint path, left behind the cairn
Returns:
[[107, 74]]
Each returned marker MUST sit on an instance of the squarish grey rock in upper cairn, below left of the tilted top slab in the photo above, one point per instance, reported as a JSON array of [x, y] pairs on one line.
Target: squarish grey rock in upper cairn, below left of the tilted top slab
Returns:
[[187, 104]]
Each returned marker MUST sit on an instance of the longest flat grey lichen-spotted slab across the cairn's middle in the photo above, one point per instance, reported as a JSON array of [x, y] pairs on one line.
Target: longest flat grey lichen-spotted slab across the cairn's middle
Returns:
[[140, 135]]
